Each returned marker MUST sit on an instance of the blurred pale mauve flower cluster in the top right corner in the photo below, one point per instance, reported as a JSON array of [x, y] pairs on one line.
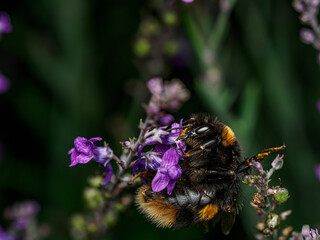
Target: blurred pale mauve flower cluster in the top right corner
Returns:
[[309, 15]]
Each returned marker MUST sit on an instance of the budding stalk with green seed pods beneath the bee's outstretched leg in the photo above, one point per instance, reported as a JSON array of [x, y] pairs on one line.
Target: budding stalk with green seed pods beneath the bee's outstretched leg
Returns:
[[266, 201]]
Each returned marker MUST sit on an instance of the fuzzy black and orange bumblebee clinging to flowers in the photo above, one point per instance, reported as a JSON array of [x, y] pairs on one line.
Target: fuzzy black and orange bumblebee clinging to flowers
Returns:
[[209, 185]]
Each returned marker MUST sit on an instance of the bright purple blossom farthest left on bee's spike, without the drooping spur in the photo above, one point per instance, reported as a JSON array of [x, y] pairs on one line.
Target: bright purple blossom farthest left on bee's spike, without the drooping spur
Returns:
[[83, 150]]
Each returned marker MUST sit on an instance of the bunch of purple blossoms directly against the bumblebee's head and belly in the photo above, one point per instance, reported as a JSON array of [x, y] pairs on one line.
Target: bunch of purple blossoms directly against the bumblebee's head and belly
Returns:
[[164, 158]]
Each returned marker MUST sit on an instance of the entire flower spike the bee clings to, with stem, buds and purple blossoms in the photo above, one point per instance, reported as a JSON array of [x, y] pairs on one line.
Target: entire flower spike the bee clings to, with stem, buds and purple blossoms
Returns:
[[107, 200]]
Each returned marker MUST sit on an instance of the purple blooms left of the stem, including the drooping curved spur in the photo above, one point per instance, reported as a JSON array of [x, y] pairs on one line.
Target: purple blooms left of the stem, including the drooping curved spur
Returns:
[[85, 150]]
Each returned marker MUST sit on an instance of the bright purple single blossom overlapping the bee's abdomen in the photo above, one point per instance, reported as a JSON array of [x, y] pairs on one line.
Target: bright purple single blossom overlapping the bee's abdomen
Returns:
[[168, 172]]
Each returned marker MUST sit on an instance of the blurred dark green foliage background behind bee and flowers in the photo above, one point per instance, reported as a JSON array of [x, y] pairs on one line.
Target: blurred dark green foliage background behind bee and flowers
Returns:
[[79, 68]]
